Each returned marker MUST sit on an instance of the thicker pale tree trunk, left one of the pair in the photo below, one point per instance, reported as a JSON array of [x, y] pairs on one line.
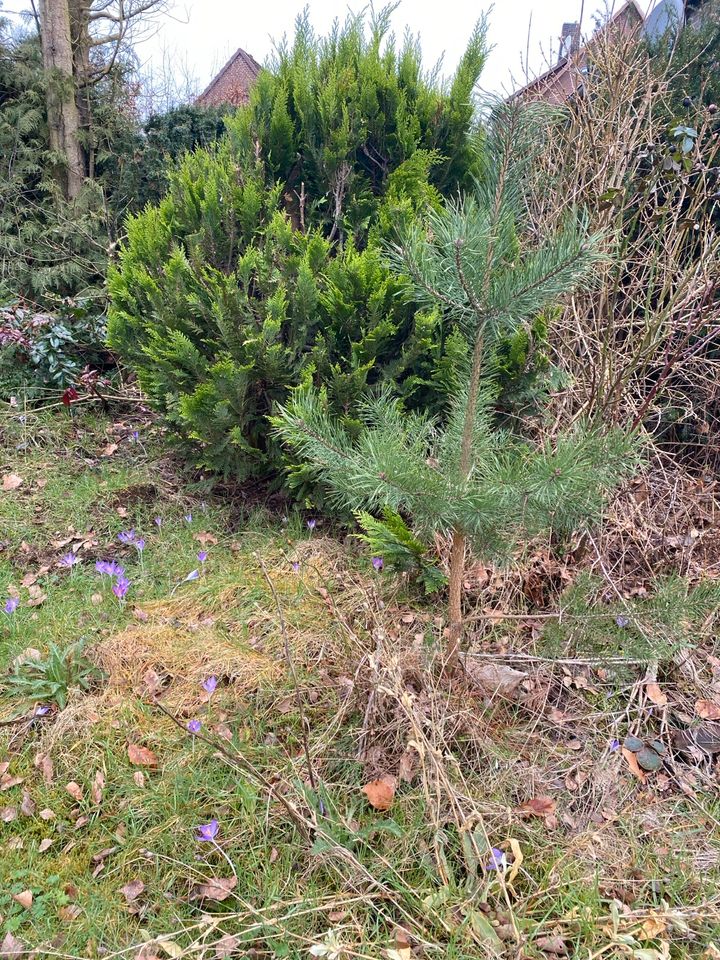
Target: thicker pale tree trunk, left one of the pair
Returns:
[[62, 111]]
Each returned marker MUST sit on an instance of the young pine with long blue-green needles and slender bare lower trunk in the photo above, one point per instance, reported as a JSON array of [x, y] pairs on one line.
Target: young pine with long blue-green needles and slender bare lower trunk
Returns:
[[486, 487]]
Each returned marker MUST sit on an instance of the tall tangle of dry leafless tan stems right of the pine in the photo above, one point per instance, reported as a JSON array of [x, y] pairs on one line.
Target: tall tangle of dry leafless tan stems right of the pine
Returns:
[[643, 339]]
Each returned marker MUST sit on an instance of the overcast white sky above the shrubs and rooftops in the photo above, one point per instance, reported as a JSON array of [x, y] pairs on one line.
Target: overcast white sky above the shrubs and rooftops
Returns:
[[201, 35]]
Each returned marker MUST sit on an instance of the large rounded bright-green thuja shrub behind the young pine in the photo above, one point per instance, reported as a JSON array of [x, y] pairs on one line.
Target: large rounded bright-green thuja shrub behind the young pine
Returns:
[[262, 268]]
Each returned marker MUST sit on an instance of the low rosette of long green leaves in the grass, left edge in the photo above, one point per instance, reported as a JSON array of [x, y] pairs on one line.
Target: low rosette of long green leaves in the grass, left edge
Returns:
[[52, 679]]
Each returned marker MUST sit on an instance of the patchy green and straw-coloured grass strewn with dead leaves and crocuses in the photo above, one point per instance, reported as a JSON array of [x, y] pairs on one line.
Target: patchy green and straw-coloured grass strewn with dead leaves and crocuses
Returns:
[[616, 850]]
